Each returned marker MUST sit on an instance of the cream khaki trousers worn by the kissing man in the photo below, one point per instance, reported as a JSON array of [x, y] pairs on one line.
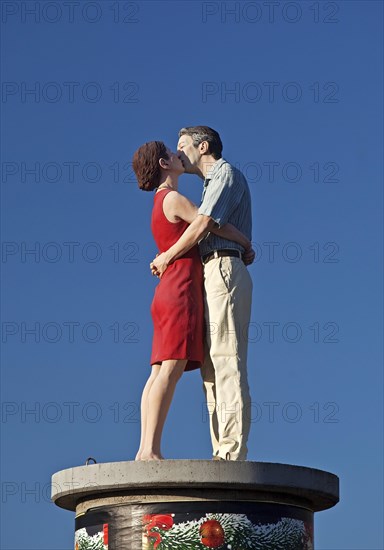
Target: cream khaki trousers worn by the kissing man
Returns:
[[228, 296]]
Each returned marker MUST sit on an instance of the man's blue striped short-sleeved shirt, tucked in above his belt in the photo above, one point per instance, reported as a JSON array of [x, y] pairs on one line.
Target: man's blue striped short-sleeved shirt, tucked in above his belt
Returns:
[[226, 199]]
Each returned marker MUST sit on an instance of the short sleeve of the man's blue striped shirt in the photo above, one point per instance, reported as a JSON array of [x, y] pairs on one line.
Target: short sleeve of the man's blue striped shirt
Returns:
[[222, 196]]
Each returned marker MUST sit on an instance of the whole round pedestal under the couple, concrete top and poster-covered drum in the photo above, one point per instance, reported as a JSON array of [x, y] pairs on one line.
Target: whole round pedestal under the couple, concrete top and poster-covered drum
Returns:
[[194, 504]]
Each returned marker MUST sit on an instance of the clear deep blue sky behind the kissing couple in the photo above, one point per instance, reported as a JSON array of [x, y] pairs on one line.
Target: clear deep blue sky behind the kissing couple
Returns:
[[295, 92]]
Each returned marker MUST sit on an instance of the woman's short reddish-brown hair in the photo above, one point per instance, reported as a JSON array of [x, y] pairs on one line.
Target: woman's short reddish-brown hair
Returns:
[[145, 163]]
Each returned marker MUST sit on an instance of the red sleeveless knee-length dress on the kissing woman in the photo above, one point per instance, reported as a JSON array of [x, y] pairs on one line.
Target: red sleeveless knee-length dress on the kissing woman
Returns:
[[177, 308]]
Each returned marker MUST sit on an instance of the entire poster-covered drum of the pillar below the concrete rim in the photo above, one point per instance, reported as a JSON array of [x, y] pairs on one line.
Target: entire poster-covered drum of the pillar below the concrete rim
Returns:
[[196, 525]]
